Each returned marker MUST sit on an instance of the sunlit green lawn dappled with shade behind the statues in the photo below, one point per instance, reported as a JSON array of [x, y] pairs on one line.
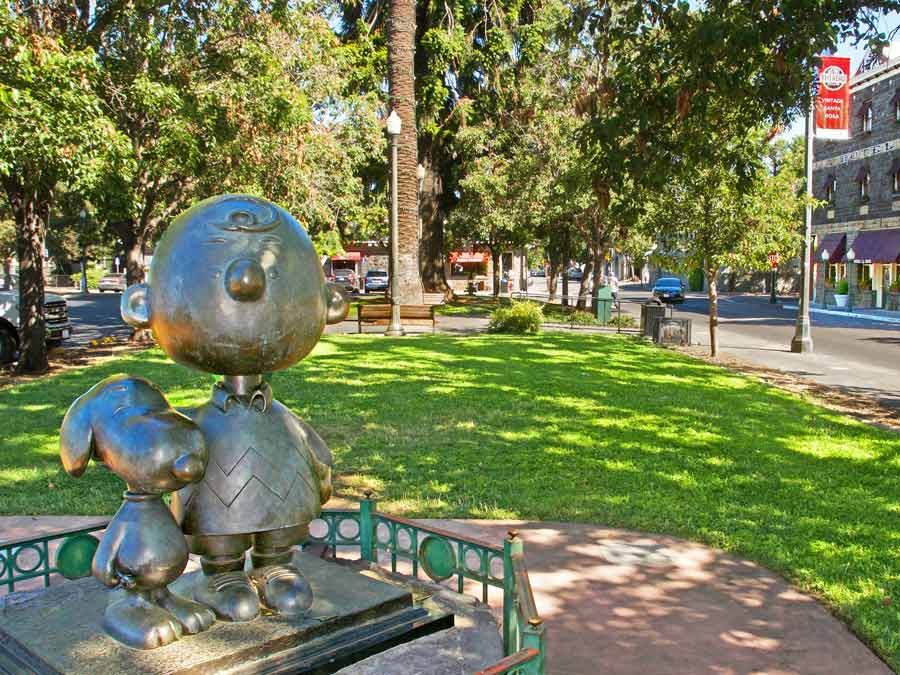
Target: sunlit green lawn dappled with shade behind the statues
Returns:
[[558, 427]]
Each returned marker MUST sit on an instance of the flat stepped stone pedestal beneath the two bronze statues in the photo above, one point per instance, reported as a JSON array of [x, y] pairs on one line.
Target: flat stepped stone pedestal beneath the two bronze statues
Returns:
[[57, 630]]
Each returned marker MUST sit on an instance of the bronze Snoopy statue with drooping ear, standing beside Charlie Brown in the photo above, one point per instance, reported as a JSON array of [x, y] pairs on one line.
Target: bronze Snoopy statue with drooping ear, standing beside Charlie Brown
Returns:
[[126, 424]]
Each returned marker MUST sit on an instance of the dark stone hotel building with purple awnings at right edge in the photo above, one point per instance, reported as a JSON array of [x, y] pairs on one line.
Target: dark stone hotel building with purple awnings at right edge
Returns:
[[857, 233]]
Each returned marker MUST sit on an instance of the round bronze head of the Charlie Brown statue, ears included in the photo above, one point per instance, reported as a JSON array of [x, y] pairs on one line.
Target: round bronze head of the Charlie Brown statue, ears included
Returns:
[[235, 288]]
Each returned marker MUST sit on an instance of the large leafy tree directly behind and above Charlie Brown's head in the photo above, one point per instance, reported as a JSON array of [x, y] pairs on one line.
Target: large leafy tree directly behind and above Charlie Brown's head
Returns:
[[220, 95]]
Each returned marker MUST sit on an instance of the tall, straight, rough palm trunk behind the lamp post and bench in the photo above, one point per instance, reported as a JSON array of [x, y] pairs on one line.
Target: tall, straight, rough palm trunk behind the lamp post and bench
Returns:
[[401, 51]]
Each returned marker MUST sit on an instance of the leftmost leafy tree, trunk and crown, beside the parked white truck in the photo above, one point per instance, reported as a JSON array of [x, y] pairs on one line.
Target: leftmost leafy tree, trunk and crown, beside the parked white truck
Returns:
[[54, 130]]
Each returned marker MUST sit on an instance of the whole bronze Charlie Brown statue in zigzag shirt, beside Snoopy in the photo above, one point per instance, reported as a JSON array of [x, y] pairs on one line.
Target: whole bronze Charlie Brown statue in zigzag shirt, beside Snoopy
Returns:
[[236, 288]]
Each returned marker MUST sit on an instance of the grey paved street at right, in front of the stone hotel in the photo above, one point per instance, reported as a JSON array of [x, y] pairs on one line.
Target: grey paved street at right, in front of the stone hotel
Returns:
[[856, 355]]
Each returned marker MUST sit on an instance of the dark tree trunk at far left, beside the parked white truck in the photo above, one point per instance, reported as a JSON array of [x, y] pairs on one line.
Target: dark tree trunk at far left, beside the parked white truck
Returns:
[[27, 206]]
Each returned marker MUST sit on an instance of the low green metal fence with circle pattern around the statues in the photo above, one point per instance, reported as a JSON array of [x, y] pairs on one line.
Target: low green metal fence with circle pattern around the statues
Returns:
[[441, 555]]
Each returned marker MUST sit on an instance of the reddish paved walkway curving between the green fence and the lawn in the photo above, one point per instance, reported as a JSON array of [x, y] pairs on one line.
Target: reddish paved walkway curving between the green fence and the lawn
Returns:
[[625, 602]]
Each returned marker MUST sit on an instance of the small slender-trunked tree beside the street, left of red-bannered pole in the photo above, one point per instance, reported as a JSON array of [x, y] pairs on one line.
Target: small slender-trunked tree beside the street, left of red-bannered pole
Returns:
[[714, 216]]
